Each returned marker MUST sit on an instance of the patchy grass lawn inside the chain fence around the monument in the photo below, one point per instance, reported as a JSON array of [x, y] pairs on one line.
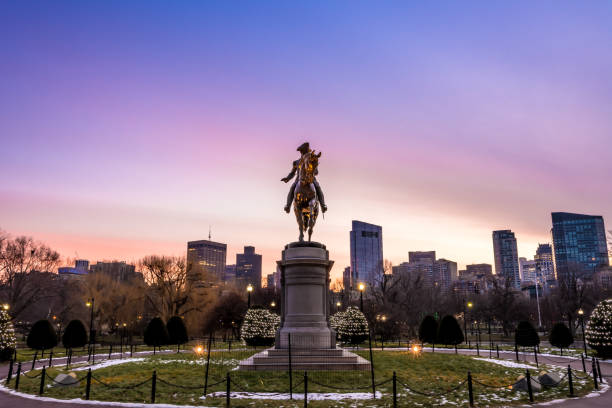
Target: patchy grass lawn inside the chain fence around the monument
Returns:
[[429, 373]]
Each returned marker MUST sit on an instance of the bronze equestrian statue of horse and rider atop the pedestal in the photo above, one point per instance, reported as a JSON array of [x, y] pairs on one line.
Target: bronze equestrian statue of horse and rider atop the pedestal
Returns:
[[305, 192]]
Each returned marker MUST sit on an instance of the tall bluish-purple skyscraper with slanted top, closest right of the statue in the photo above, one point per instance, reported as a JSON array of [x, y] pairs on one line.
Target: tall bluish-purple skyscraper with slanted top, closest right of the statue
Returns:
[[366, 253]]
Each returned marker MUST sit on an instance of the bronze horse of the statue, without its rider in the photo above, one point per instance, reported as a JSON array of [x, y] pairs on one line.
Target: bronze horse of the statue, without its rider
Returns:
[[305, 203]]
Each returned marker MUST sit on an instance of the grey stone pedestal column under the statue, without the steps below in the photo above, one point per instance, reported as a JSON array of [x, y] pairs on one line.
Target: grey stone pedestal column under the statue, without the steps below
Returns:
[[305, 282]]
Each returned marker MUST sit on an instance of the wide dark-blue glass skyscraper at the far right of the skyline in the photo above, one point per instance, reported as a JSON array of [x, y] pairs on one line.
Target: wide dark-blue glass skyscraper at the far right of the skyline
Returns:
[[579, 243]]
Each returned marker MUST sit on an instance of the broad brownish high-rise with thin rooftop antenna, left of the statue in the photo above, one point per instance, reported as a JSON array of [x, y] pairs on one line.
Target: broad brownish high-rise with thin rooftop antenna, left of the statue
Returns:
[[206, 261]]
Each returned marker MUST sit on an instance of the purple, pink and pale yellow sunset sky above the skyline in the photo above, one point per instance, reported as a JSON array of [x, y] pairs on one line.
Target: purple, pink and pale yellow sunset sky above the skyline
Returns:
[[127, 128]]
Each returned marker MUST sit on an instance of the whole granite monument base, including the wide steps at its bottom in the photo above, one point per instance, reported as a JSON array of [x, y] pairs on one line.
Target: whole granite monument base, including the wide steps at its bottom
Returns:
[[304, 269]]
